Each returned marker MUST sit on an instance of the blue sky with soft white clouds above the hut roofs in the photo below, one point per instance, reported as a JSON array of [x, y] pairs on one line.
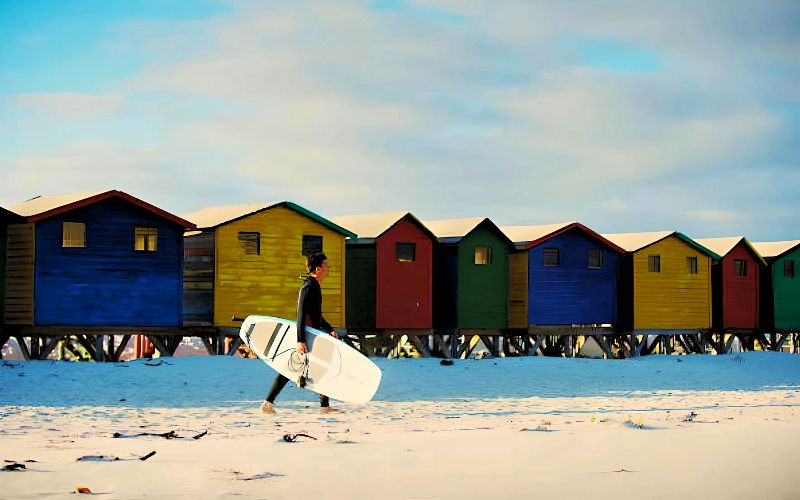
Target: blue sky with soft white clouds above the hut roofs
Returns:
[[625, 116]]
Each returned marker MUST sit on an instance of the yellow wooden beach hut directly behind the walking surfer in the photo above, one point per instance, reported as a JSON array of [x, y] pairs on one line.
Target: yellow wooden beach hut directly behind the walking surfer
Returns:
[[250, 259]]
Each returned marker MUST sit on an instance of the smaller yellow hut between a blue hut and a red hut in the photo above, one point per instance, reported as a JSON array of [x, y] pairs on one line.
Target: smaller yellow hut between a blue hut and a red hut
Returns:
[[665, 285]]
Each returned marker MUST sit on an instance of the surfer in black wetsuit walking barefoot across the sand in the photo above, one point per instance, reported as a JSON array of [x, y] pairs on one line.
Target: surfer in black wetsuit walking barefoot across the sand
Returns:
[[309, 312]]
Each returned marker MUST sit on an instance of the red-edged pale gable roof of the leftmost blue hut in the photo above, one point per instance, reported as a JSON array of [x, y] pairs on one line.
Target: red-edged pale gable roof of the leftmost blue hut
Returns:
[[44, 207]]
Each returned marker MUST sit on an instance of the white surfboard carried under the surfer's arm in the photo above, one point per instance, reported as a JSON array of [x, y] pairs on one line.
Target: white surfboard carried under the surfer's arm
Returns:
[[334, 368]]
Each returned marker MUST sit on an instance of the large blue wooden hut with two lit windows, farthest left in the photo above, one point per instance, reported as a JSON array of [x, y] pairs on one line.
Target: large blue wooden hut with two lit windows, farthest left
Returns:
[[96, 259]]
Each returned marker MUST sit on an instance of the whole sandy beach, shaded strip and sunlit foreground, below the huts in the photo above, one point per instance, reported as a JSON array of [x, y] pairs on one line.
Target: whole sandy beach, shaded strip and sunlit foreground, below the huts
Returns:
[[655, 427]]
